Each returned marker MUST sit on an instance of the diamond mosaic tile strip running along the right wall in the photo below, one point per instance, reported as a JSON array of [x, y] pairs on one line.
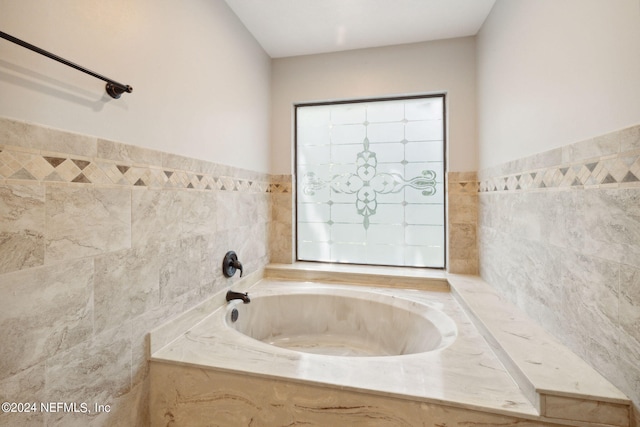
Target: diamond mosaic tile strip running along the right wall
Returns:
[[623, 169]]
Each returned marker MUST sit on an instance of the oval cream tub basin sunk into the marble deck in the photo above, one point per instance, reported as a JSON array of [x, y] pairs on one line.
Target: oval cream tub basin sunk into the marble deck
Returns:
[[340, 322]]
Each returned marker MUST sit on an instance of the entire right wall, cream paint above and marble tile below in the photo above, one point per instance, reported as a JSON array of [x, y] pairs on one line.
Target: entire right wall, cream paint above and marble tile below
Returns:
[[559, 141]]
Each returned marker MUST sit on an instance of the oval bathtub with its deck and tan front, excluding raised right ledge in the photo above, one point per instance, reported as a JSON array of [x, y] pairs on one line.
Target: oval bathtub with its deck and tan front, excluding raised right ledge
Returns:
[[326, 340]]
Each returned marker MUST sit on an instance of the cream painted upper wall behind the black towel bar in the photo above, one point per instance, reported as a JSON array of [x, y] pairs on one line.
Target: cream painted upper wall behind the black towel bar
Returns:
[[200, 81]]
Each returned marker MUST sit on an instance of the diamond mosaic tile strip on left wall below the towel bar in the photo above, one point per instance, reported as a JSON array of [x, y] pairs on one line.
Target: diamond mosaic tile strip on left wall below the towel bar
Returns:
[[16, 164]]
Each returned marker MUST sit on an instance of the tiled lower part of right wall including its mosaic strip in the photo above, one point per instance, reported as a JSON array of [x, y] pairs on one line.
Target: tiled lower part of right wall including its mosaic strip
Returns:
[[559, 234]]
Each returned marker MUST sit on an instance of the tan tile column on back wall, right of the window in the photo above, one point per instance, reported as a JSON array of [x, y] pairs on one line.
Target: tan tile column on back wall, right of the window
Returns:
[[462, 221]]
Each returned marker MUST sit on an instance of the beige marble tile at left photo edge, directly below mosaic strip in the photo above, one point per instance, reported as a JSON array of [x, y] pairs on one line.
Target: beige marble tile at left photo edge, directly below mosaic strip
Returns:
[[22, 226]]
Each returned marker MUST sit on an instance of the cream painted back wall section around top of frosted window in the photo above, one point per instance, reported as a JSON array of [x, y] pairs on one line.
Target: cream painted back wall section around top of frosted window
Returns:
[[431, 67]]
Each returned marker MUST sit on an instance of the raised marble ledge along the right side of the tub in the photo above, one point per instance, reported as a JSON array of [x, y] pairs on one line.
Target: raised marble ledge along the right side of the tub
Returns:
[[558, 382]]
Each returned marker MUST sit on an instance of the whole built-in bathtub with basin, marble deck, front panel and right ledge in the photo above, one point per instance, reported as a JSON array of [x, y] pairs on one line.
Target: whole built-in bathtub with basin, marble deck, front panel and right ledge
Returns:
[[317, 353]]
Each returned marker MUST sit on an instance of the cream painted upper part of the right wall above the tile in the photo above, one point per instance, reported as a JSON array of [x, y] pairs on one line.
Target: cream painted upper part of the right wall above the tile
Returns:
[[553, 72]]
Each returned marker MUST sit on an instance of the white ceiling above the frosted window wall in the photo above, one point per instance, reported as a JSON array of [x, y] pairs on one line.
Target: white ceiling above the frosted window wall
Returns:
[[303, 27]]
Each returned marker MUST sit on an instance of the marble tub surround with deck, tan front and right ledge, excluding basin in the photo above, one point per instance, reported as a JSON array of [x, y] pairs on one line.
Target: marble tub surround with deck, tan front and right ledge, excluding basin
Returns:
[[464, 382]]
